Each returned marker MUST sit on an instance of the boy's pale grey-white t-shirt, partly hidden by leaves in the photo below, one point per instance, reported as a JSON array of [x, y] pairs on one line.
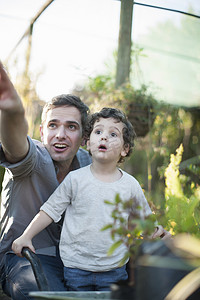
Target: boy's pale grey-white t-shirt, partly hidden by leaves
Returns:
[[81, 196]]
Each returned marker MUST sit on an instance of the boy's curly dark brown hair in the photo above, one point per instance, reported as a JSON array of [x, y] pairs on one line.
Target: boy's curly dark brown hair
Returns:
[[128, 132]]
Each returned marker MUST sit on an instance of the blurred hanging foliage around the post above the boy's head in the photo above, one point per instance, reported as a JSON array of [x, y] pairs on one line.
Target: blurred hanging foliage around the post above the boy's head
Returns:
[[138, 104]]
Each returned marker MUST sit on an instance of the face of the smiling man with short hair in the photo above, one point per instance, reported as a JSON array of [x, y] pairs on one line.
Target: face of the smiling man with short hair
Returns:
[[61, 133]]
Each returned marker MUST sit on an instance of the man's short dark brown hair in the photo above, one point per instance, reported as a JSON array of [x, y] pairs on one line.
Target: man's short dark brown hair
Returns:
[[67, 100]]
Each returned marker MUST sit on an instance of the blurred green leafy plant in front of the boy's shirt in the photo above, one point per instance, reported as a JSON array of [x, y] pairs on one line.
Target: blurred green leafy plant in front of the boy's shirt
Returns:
[[130, 233]]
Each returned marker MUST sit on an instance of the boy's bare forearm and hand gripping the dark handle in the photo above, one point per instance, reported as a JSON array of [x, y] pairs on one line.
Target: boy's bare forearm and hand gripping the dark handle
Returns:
[[40, 222]]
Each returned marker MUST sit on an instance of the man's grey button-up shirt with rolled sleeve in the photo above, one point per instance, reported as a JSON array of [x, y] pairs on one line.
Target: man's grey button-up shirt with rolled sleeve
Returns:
[[26, 186]]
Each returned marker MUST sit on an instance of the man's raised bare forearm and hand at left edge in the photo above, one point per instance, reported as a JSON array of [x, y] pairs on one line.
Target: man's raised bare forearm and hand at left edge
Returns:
[[13, 124]]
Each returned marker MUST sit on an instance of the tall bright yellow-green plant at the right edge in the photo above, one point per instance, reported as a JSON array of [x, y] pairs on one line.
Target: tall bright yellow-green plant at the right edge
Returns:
[[182, 199]]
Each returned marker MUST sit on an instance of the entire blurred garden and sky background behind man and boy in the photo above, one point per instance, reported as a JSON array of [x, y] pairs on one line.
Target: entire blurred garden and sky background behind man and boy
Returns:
[[143, 57]]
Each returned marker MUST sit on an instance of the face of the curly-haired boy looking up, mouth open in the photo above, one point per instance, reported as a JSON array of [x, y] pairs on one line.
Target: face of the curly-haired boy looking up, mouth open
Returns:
[[106, 140]]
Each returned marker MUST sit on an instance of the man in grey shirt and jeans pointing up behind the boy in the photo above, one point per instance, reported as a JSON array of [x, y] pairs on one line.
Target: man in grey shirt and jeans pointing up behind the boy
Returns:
[[33, 171]]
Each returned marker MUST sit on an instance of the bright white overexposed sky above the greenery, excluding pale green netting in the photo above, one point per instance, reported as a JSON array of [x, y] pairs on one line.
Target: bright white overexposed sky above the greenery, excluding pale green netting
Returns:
[[73, 39]]
